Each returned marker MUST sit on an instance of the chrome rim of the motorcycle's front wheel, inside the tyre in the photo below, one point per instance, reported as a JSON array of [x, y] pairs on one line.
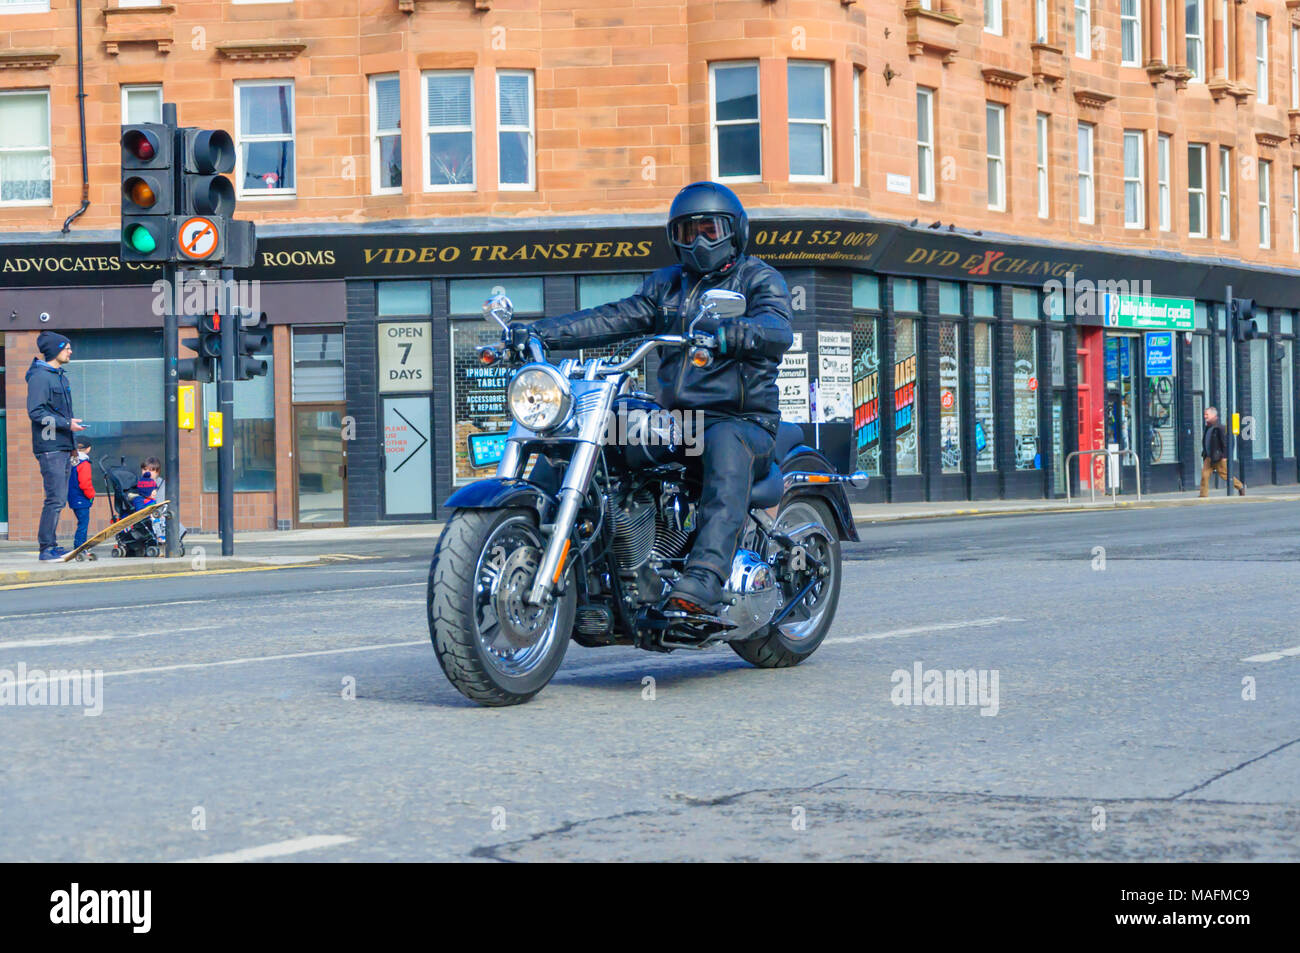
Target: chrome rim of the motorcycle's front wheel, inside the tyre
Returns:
[[515, 638]]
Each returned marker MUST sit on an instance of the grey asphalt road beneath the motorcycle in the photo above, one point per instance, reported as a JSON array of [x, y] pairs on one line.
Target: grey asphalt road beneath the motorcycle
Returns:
[[1121, 727]]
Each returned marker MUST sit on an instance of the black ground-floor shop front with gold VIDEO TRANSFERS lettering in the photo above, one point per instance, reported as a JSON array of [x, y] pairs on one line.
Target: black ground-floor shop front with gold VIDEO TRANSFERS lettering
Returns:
[[947, 366]]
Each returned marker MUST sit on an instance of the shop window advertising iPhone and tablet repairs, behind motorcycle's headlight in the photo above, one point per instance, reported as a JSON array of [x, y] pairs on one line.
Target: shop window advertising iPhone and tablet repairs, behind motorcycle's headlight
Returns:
[[478, 392]]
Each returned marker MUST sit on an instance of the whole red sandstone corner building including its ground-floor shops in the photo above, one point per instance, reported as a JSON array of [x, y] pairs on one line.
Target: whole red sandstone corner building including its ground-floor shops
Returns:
[[939, 181]]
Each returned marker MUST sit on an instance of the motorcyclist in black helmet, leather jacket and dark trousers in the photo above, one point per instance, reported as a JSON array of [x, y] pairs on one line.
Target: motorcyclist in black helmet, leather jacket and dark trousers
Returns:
[[738, 395]]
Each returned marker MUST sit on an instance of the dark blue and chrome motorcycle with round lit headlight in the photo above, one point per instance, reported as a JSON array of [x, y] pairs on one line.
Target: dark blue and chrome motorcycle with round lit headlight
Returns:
[[587, 544]]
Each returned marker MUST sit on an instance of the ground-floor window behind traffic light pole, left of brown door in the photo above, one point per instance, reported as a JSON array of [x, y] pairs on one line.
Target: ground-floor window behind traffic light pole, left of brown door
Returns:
[[252, 436]]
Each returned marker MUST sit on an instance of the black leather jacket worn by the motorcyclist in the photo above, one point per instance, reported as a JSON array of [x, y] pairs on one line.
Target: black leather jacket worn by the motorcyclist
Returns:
[[666, 305]]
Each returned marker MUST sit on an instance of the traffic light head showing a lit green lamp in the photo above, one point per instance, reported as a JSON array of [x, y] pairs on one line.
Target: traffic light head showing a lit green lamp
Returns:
[[148, 192]]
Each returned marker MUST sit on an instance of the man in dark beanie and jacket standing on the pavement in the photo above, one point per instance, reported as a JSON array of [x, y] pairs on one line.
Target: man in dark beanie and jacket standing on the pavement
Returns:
[[50, 405]]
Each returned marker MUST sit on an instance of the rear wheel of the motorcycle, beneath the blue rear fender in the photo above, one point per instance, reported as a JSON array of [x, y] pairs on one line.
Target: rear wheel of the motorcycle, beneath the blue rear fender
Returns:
[[800, 635]]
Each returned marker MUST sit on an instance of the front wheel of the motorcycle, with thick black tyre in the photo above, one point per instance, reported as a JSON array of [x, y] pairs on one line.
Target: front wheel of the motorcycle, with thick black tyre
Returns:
[[492, 646]]
